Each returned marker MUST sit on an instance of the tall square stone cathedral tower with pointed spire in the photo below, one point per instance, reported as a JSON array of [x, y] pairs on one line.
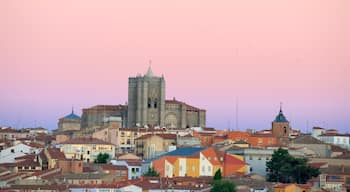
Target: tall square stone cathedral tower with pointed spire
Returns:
[[146, 100]]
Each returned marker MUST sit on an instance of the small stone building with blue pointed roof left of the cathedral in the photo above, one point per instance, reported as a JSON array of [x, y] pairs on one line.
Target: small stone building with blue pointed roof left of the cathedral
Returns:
[[70, 122]]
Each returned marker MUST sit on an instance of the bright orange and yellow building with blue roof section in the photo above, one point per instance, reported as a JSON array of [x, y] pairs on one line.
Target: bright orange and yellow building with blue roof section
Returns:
[[198, 161]]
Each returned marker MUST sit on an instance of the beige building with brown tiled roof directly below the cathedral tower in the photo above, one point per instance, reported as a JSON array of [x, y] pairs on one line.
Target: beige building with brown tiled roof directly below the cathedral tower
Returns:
[[151, 145]]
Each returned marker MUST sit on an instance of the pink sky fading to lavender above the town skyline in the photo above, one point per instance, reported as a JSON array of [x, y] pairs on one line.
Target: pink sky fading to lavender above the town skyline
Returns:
[[55, 54]]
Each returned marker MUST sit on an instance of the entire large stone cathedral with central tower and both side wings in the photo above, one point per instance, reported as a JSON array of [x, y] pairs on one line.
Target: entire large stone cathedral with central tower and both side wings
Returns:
[[146, 106]]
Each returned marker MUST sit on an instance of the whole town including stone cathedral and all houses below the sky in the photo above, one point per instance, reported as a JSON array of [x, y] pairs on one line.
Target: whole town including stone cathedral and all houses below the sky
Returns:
[[156, 144]]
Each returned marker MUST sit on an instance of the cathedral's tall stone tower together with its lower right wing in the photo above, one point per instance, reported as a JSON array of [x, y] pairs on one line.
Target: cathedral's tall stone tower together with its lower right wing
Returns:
[[147, 105]]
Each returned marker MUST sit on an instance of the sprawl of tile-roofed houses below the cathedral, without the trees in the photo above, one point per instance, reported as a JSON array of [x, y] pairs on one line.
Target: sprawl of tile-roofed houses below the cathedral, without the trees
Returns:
[[186, 158]]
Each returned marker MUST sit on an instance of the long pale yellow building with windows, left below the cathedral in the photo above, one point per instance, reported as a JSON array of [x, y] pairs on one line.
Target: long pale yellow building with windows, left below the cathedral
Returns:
[[86, 149]]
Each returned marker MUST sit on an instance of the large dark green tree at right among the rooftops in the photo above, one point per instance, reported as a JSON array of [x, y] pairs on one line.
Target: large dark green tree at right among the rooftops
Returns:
[[287, 169]]
